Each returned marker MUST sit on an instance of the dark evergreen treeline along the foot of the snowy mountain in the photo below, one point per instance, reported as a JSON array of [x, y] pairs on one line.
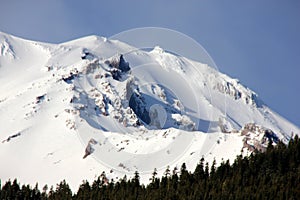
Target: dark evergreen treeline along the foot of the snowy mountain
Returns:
[[274, 174]]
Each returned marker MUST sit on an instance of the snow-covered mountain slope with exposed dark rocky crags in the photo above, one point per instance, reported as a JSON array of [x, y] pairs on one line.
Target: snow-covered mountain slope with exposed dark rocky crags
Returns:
[[72, 110]]
